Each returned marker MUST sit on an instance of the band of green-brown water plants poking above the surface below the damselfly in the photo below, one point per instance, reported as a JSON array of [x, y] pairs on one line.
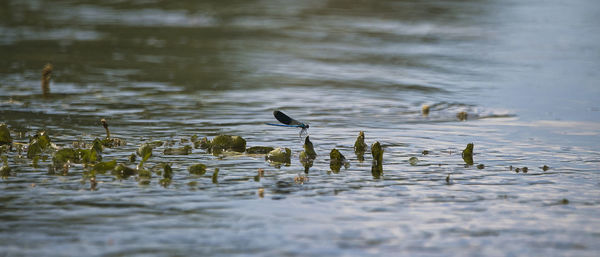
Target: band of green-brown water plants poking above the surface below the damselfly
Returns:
[[89, 155]]
